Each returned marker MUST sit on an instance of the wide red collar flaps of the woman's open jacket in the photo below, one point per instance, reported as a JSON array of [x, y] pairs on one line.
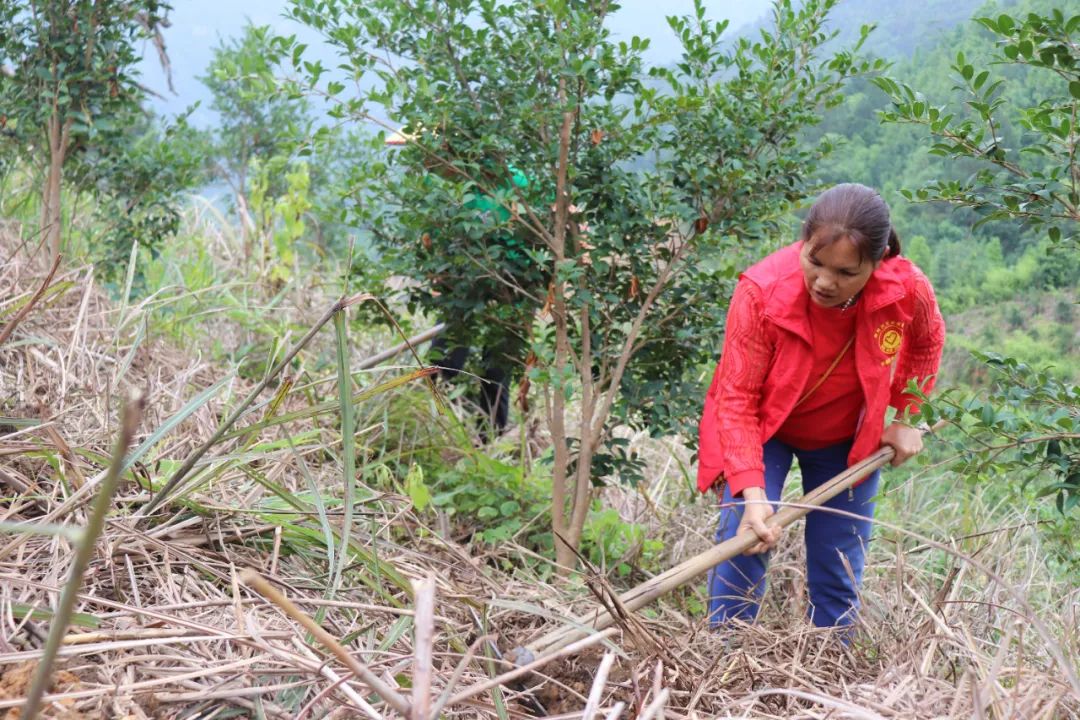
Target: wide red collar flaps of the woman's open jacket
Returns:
[[787, 301]]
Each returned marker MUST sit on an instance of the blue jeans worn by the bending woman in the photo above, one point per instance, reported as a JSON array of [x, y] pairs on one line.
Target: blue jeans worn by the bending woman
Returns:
[[736, 587]]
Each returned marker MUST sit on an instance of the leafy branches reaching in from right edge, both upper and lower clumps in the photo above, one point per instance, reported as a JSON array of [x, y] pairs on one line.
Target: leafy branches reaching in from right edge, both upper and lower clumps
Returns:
[[1027, 425]]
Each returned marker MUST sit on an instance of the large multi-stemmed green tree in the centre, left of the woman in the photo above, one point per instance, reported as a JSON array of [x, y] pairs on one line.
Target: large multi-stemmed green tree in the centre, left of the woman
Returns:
[[622, 197]]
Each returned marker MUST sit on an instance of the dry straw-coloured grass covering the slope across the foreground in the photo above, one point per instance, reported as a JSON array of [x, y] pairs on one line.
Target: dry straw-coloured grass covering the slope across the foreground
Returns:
[[169, 631]]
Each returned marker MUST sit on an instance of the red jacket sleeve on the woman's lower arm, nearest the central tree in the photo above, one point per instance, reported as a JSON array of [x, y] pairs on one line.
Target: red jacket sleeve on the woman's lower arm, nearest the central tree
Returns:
[[731, 430]]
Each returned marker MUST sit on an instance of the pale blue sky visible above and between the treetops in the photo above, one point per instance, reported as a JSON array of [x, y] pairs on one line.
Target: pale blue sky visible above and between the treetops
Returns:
[[198, 28]]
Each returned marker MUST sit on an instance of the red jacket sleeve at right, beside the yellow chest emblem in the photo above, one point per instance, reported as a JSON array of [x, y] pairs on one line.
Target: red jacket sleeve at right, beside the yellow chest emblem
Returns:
[[922, 355]]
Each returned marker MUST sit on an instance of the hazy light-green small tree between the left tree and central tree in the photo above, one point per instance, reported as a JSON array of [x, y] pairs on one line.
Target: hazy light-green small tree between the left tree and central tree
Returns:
[[266, 139]]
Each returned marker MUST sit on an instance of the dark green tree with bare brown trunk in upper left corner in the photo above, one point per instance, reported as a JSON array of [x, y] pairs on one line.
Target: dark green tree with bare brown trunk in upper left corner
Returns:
[[73, 83]]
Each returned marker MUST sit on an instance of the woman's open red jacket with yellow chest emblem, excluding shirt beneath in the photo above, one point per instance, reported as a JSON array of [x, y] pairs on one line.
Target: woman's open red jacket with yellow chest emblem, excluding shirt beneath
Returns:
[[767, 356]]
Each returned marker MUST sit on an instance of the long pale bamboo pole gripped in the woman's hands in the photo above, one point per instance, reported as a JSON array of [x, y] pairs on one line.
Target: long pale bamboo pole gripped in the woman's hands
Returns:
[[698, 565]]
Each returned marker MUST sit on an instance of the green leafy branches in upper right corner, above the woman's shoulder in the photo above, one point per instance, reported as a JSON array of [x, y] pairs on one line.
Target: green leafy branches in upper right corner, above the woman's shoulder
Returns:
[[1035, 181]]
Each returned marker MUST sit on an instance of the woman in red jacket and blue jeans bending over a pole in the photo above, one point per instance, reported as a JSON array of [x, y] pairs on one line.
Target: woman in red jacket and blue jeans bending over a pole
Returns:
[[822, 337]]
